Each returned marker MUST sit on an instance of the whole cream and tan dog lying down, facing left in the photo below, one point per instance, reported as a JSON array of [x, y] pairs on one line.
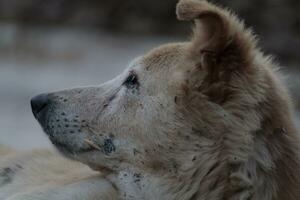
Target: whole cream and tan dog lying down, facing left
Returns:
[[207, 119]]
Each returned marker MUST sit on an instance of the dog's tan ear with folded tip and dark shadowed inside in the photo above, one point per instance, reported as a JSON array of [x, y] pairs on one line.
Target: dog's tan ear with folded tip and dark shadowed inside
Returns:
[[220, 39]]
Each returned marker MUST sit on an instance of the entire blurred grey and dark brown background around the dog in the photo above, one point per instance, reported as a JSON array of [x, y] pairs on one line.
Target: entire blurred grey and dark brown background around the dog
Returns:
[[48, 45]]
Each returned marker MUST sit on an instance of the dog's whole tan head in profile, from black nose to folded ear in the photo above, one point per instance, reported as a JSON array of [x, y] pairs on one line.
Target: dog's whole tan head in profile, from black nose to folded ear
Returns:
[[171, 108]]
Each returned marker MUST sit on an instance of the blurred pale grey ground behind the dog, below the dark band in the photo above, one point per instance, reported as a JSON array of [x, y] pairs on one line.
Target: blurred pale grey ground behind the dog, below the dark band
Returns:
[[42, 60]]
